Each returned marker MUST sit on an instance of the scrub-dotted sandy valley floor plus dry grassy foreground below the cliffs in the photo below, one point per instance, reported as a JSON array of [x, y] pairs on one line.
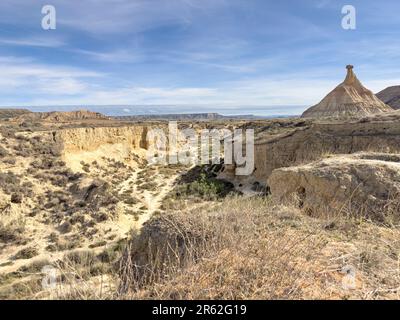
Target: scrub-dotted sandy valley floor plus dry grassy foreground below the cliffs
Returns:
[[117, 229]]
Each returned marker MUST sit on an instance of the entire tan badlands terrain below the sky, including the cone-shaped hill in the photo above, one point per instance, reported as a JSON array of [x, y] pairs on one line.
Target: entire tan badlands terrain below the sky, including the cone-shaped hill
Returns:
[[83, 215]]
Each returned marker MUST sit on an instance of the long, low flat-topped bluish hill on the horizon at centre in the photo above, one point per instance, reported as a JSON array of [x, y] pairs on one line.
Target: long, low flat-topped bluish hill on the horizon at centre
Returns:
[[184, 116]]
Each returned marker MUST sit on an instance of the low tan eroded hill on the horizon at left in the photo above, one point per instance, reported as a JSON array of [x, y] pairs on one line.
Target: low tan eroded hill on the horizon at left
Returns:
[[59, 116]]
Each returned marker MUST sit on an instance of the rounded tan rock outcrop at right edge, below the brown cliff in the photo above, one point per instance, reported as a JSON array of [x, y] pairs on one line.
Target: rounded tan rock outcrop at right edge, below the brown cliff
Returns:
[[362, 183]]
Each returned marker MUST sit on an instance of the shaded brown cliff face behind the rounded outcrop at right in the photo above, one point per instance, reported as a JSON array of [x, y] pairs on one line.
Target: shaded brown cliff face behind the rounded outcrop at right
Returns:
[[379, 134]]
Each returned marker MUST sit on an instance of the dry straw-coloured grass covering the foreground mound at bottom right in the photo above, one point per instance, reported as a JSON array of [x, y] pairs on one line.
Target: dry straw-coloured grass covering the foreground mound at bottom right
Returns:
[[252, 249]]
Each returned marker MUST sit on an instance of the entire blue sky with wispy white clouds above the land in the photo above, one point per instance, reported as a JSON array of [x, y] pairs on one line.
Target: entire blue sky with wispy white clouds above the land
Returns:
[[229, 54]]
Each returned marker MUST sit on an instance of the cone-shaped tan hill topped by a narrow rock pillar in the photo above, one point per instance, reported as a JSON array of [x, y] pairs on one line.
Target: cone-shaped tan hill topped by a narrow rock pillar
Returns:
[[349, 99]]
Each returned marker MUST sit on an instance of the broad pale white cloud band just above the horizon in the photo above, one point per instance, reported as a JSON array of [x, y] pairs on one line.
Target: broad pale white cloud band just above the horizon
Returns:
[[26, 82]]
